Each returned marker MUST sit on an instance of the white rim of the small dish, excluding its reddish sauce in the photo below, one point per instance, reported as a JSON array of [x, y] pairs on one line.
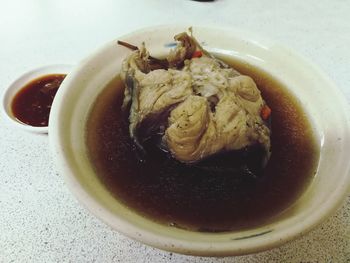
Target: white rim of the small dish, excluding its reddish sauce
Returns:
[[19, 83]]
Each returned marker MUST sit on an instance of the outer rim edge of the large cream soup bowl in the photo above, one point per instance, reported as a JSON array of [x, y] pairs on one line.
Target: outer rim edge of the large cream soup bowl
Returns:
[[202, 248]]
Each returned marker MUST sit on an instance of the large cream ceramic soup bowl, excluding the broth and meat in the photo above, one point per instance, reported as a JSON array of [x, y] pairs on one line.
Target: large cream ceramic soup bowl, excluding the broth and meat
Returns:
[[320, 99]]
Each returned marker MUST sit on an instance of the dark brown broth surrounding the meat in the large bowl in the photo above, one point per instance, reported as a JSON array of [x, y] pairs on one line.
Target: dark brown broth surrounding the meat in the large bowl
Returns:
[[170, 193]]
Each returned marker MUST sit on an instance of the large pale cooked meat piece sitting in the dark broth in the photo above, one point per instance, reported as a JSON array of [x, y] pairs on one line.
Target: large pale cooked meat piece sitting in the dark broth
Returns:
[[208, 106]]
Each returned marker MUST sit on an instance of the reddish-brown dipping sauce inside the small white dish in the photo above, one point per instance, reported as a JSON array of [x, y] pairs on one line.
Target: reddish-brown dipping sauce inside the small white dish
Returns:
[[32, 104]]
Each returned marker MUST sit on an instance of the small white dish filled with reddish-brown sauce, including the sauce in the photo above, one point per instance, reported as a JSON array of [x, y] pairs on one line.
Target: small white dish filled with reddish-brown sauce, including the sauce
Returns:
[[27, 101]]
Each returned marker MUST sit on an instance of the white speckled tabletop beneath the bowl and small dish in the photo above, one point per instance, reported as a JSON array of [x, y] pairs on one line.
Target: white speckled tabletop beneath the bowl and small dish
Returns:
[[40, 220]]
